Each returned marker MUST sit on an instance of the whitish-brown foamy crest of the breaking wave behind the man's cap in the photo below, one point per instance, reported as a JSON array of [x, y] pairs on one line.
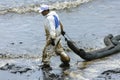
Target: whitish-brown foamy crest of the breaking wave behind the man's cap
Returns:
[[33, 7]]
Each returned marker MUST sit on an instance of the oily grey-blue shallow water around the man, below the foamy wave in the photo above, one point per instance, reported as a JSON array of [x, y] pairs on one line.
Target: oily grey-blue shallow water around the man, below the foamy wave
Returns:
[[87, 25]]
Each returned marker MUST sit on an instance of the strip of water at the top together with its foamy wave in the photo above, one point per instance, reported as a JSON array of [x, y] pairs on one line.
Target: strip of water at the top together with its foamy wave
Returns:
[[24, 6]]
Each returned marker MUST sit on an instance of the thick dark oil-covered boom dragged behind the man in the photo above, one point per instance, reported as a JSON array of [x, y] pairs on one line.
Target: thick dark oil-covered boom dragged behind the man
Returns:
[[111, 48]]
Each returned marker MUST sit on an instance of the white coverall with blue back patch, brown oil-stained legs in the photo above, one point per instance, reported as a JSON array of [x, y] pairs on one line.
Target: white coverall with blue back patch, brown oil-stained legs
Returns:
[[53, 30]]
